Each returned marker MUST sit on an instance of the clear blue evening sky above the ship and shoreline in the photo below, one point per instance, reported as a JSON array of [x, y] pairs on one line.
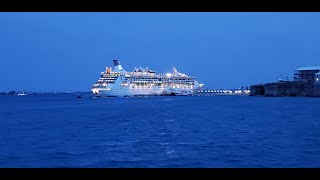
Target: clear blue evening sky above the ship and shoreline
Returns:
[[67, 51]]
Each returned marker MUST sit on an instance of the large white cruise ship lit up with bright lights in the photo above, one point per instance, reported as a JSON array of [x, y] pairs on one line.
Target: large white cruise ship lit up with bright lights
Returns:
[[116, 82]]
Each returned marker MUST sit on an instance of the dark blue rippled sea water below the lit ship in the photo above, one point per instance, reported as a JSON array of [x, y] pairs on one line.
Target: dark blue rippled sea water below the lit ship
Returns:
[[220, 131]]
